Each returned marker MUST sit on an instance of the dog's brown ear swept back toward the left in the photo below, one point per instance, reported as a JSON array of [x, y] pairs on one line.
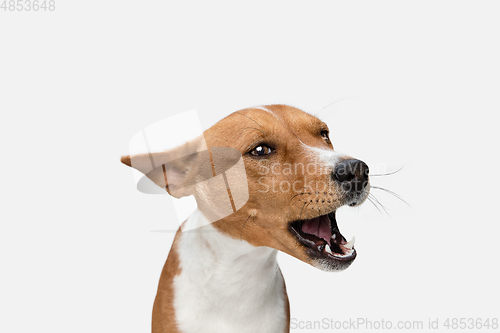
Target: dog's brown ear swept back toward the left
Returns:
[[175, 170]]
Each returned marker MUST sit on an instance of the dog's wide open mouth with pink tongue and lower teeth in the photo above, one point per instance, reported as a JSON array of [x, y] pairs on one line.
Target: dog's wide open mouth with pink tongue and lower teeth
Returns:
[[323, 239]]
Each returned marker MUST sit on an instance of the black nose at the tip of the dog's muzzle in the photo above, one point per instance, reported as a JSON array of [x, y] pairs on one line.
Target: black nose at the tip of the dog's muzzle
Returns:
[[351, 174]]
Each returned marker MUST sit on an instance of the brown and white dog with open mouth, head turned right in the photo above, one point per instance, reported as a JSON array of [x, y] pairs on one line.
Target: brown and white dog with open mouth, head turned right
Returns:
[[221, 274]]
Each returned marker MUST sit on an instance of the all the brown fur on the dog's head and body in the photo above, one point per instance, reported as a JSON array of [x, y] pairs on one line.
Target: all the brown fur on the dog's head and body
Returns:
[[265, 218]]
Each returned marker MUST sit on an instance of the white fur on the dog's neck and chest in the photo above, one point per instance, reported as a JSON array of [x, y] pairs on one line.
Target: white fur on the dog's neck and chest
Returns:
[[228, 281]]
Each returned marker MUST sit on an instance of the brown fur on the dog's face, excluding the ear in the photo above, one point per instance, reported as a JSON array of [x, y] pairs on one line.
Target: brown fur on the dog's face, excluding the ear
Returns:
[[284, 128]]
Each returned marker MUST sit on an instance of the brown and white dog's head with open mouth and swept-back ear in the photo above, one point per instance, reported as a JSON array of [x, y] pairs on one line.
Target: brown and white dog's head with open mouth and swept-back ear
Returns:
[[296, 182]]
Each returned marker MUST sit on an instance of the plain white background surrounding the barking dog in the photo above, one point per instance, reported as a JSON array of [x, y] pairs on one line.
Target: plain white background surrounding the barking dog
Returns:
[[418, 84]]
